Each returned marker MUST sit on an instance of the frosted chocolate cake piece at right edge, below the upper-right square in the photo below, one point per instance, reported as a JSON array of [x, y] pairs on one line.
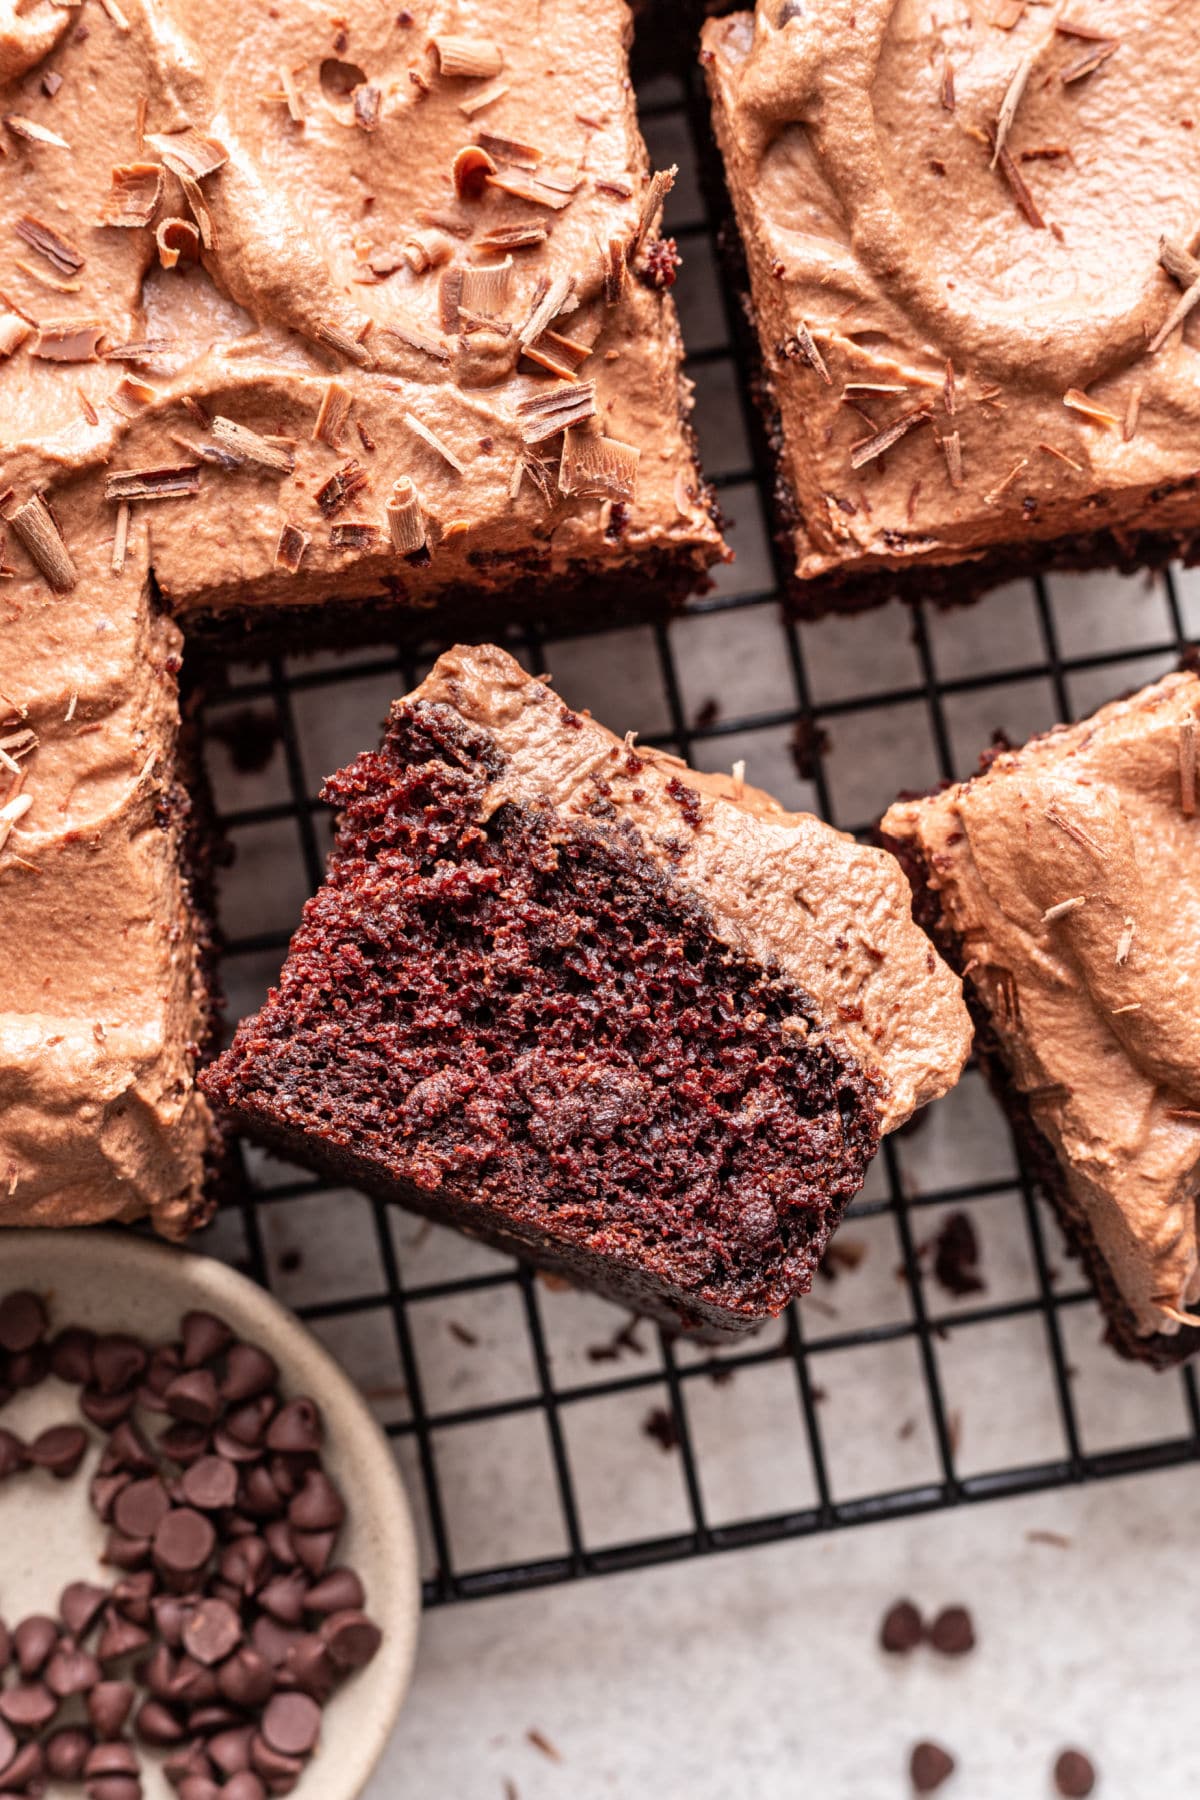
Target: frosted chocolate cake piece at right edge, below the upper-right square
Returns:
[[1062, 881]]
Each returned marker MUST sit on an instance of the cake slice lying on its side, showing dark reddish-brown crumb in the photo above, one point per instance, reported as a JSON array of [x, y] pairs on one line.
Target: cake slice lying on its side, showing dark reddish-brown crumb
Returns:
[[620, 1018]]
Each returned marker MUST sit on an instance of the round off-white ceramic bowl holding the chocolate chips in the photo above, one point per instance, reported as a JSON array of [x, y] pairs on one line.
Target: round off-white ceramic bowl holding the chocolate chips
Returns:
[[120, 1282]]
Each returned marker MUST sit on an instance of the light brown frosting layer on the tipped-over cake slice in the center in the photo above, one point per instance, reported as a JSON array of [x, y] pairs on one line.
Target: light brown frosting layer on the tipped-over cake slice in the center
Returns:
[[780, 886]]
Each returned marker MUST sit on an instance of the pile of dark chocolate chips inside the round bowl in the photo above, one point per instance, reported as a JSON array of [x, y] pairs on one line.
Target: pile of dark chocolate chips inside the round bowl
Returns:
[[229, 1623]]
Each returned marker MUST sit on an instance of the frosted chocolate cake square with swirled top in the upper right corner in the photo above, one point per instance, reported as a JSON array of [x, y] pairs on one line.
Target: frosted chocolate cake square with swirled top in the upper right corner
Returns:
[[969, 238]]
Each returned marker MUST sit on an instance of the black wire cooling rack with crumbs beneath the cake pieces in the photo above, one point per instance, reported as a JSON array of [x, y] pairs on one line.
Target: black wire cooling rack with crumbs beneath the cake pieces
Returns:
[[542, 1435]]
